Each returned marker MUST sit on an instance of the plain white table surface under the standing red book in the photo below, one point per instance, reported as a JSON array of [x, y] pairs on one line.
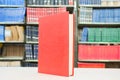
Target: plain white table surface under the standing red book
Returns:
[[25, 73]]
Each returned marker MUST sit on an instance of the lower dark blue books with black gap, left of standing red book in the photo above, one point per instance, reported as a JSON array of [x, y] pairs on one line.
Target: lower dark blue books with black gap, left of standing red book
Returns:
[[31, 51]]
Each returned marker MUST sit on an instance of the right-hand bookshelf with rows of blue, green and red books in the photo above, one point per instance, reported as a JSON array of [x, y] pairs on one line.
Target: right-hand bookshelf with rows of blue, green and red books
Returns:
[[88, 21]]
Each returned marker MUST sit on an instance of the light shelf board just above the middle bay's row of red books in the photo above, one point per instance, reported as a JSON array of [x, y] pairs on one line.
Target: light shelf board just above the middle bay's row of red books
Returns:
[[68, 6]]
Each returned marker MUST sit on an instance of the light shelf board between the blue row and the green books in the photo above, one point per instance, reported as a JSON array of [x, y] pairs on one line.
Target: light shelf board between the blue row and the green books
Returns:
[[97, 23]]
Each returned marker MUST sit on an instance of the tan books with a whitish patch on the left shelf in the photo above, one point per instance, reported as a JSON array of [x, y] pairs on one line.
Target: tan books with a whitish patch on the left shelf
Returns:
[[14, 33]]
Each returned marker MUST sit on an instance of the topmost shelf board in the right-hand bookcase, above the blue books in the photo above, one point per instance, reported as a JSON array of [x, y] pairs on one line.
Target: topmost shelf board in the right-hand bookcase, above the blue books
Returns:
[[100, 6]]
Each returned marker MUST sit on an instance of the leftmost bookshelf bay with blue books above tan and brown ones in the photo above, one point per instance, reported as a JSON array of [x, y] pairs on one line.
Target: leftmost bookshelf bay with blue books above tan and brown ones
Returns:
[[12, 32]]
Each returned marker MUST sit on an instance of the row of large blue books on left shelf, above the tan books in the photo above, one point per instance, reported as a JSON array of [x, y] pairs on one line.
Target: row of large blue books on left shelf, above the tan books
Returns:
[[12, 14]]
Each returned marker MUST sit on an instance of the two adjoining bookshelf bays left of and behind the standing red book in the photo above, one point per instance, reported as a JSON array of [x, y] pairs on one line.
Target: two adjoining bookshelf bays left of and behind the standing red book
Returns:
[[28, 45]]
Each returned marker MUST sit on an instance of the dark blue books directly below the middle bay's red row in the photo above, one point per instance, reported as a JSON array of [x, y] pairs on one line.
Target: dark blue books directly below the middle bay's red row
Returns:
[[31, 33]]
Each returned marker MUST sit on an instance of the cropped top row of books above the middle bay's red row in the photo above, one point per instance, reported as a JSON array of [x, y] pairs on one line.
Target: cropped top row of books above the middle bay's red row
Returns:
[[50, 2]]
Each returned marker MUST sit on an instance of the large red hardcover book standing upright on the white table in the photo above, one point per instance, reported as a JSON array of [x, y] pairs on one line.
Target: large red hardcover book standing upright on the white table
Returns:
[[56, 44]]
